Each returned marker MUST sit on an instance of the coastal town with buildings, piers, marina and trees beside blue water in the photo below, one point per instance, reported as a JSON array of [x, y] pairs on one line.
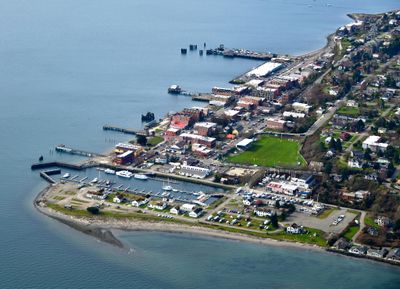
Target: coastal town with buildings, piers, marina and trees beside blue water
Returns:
[[300, 149]]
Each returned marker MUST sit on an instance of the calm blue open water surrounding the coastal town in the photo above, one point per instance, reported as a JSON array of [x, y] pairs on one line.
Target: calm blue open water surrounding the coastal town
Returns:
[[68, 67]]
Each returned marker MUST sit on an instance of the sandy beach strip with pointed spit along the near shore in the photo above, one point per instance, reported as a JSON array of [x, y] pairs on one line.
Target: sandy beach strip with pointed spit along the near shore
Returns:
[[106, 231]]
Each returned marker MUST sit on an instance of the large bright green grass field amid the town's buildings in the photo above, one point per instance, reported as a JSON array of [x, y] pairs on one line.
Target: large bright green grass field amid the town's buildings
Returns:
[[270, 152]]
